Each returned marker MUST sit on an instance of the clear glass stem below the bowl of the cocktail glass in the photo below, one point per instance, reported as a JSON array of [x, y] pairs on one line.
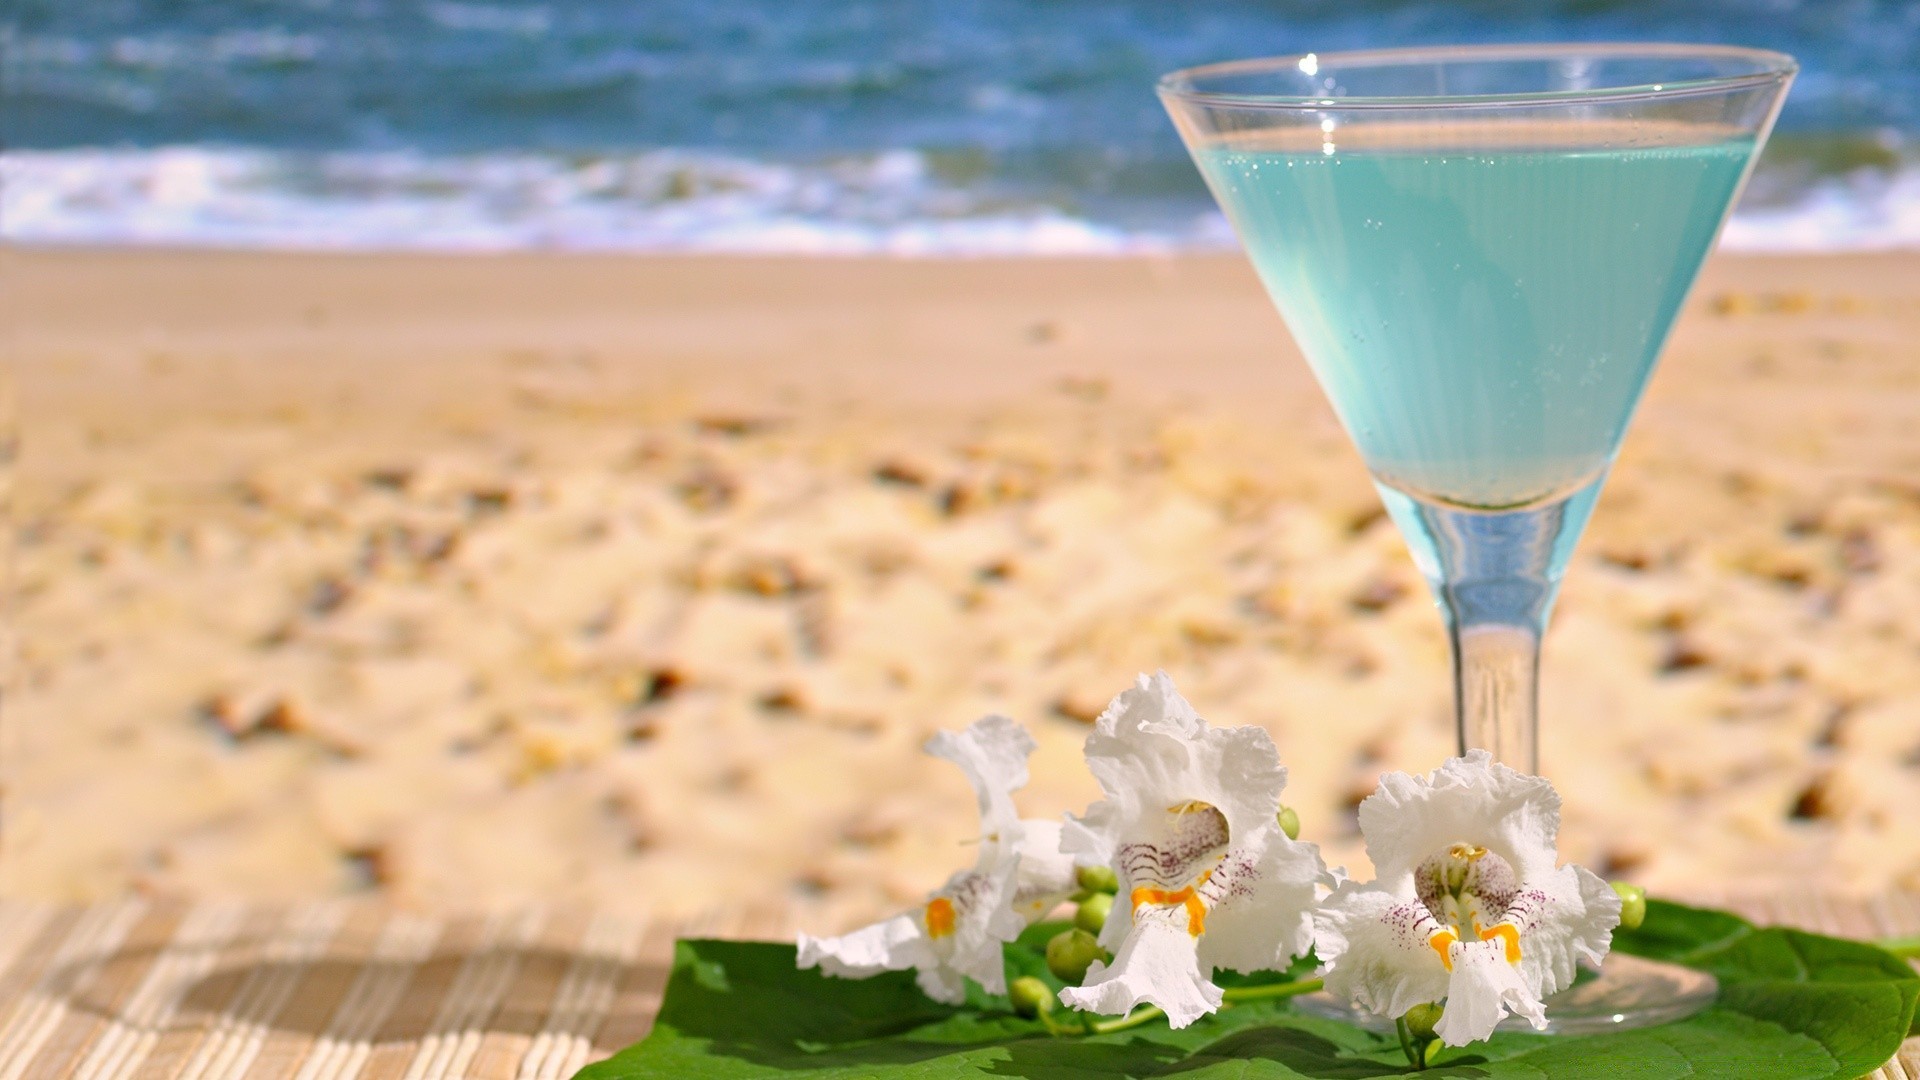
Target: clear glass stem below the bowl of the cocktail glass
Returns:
[[1495, 576]]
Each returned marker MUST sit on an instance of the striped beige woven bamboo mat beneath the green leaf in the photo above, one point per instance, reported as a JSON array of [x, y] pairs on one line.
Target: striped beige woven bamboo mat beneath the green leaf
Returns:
[[335, 991]]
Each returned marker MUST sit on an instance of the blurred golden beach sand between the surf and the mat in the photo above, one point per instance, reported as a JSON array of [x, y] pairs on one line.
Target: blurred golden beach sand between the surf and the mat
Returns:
[[640, 581]]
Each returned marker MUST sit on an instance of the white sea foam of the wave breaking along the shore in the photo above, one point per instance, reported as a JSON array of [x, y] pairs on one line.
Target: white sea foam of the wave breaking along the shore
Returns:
[[671, 201]]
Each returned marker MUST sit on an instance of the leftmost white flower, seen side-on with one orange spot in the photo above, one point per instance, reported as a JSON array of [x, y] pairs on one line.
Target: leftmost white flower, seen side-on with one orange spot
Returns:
[[957, 933]]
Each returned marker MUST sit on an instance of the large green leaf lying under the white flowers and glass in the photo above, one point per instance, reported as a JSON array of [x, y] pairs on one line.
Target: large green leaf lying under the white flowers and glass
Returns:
[[1792, 1008]]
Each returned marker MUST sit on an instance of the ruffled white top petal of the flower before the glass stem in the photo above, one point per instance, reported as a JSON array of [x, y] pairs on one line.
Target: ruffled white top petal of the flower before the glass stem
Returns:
[[1470, 798]]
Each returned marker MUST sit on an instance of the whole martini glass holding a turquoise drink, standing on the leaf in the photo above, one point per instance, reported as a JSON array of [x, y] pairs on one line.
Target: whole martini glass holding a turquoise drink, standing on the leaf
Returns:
[[1481, 253]]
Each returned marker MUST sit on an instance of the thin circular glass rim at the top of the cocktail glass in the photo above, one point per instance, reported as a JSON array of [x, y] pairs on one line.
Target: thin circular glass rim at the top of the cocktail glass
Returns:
[[1769, 68]]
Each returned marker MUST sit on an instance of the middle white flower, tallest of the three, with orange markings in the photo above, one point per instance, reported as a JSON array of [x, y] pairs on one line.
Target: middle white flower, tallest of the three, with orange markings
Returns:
[[1207, 877]]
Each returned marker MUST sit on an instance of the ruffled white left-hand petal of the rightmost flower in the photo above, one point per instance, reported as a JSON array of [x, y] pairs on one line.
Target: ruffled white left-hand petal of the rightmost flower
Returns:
[[1376, 950]]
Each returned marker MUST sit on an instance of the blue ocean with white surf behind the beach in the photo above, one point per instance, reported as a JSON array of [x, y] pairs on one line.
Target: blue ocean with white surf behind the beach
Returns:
[[924, 128]]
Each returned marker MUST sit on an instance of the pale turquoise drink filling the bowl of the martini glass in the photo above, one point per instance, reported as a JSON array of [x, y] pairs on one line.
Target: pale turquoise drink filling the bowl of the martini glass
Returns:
[[1481, 320]]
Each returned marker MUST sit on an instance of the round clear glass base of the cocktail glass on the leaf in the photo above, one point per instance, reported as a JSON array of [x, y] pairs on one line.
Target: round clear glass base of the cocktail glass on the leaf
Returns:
[[1629, 993]]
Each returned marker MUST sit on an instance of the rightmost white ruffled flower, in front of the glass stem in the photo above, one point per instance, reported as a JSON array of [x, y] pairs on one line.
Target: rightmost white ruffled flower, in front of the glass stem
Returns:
[[1468, 904]]
